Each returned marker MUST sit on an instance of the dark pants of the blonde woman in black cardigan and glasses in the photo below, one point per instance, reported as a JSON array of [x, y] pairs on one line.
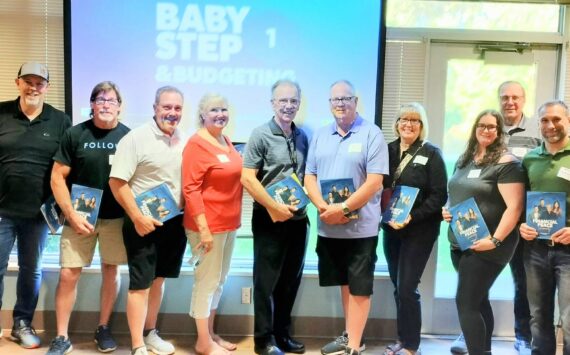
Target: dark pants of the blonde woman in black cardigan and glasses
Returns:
[[407, 256]]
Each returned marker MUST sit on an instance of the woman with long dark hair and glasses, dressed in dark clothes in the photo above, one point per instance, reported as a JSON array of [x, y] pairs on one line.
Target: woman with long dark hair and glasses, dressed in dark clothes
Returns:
[[495, 179]]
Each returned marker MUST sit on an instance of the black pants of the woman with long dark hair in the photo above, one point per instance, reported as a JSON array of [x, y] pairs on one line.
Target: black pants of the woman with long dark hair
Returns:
[[475, 278]]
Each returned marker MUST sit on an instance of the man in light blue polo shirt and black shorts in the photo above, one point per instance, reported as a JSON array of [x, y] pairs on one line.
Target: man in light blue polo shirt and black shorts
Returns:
[[348, 148]]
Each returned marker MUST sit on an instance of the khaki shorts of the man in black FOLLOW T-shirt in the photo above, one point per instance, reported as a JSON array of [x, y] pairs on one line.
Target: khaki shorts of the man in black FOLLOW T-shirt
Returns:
[[77, 250]]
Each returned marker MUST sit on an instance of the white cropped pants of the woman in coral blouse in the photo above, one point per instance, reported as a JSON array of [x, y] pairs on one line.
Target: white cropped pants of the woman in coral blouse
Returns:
[[211, 274]]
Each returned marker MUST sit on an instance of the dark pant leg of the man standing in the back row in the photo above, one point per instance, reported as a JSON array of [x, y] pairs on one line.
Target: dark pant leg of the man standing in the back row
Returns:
[[522, 310]]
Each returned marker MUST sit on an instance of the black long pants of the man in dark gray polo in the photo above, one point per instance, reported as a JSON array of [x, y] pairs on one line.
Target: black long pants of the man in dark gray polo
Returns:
[[278, 260]]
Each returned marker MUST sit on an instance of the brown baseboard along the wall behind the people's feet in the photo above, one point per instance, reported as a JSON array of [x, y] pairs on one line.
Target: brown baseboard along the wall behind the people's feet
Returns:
[[181, 323]]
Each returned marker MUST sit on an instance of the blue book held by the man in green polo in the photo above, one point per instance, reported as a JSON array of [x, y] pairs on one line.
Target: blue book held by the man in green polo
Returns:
[[546, 212]]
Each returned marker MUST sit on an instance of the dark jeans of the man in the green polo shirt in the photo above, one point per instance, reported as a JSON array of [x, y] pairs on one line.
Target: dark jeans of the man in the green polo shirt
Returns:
[[547, 268]]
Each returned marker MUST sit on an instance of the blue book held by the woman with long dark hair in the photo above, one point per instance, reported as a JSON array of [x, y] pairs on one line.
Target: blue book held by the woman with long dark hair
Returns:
[[467, 223]]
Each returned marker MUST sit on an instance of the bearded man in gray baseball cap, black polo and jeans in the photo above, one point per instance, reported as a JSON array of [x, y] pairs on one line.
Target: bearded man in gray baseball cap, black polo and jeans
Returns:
[[31, 131]]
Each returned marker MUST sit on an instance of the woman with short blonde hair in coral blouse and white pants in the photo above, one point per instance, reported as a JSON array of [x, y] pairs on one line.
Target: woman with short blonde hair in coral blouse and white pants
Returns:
[[211, 171]]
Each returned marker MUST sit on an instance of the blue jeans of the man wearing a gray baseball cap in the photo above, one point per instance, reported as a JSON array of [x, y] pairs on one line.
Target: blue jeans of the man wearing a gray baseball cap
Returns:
[[31, 235]]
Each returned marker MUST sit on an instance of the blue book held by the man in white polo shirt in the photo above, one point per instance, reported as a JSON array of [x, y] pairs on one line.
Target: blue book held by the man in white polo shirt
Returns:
[[158, 203]]
